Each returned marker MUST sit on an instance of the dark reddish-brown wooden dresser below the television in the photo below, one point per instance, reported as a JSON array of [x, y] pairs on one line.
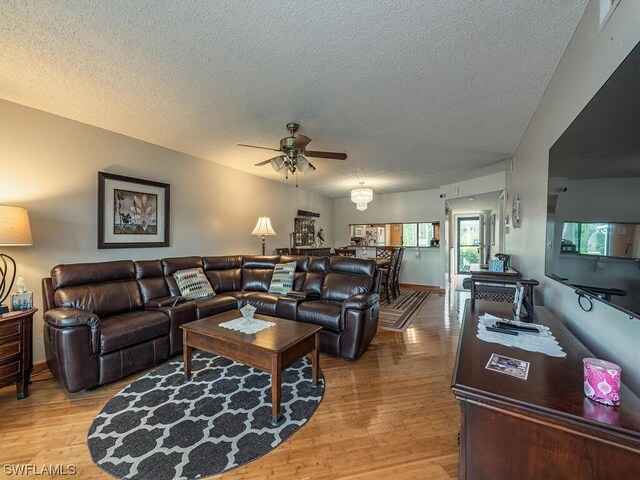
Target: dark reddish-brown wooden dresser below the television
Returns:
[[543, 427]]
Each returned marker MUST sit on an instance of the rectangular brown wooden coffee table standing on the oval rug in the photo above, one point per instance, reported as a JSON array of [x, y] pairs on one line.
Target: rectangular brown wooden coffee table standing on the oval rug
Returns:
[[271, 350]]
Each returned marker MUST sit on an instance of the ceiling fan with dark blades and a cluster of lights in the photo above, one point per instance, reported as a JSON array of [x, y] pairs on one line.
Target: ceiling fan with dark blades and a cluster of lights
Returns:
[[294, 149]]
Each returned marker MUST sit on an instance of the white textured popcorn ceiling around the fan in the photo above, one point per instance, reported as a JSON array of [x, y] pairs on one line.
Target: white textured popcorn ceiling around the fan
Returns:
[[418, 93]]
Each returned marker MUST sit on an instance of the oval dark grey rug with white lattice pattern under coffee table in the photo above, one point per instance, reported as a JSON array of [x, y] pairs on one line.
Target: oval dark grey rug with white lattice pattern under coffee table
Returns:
[[163, 426]]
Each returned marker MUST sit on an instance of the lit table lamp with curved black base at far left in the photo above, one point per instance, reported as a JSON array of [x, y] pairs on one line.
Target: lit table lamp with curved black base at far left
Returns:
[[15, 230]]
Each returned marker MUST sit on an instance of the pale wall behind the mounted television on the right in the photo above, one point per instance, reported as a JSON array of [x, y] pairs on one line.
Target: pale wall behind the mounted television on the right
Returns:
[[587, 63]]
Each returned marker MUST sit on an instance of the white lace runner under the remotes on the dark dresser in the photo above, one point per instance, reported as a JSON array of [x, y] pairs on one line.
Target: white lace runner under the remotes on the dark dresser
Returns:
[[544, 342]]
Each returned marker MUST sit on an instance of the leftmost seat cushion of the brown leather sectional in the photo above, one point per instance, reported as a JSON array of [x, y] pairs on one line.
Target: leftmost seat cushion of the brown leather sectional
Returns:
[[127, 329]]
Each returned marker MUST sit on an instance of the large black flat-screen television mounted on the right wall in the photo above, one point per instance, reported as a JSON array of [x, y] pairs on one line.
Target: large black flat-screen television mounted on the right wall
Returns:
[[593, 212]]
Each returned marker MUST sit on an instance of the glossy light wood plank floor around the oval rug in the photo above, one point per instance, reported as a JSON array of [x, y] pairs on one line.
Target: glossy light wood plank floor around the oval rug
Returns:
[[389, 415]]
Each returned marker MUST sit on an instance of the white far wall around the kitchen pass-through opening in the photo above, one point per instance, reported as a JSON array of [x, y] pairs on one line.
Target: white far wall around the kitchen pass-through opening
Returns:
[[418, 206]]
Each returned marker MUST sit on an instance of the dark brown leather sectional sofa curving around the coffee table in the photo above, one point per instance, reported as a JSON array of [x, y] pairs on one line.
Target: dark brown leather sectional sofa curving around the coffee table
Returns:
[[106, 320]]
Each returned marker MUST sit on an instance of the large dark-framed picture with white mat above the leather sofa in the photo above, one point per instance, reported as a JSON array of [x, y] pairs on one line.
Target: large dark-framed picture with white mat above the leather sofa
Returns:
[[132, 212]]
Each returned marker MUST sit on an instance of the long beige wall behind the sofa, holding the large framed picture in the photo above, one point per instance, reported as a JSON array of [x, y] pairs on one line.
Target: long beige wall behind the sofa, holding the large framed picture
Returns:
[[49, 165]]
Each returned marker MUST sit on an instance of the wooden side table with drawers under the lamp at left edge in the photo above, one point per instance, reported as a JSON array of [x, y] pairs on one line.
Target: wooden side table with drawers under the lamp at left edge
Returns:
[[16, 346]]
